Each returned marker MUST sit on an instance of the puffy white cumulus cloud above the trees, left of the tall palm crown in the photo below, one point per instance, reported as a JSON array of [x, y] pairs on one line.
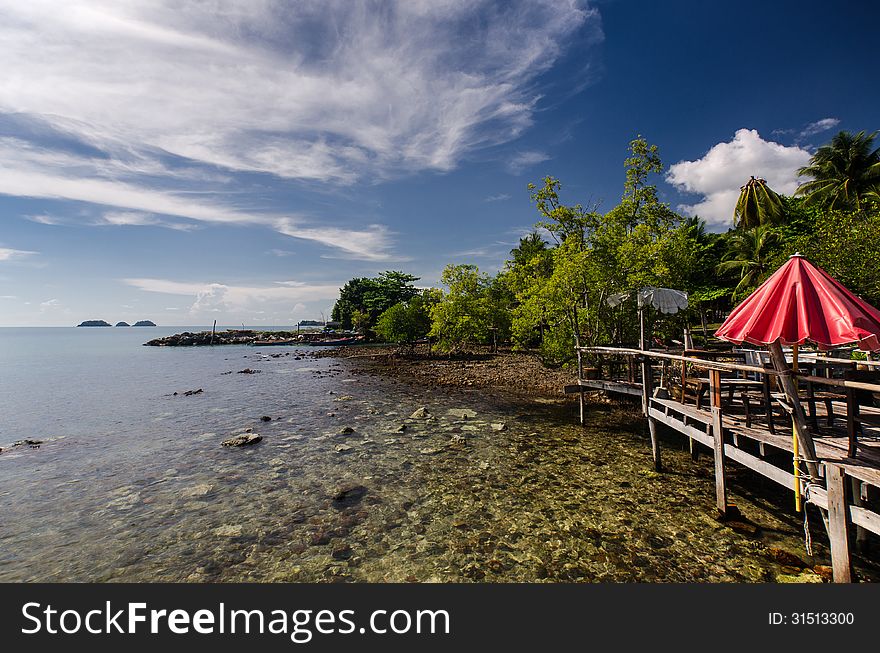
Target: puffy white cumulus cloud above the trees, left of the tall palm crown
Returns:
[[720, 173]]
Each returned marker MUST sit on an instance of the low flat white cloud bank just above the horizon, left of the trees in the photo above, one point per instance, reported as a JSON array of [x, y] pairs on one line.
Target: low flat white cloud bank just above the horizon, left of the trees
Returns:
[[218, 297]]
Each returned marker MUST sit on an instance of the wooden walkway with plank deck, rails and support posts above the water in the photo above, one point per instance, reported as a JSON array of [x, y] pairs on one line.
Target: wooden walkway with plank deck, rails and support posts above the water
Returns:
[[848, 487]]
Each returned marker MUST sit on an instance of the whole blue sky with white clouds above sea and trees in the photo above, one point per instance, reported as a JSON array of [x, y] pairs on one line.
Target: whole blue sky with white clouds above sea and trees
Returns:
[[240, 160]]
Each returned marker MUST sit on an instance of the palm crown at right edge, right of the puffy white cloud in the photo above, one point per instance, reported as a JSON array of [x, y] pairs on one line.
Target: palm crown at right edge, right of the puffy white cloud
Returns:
[[845, 172]]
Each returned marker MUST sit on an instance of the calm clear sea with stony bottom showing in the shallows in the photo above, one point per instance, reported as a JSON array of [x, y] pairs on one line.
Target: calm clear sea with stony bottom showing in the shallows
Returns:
[[110, 471]]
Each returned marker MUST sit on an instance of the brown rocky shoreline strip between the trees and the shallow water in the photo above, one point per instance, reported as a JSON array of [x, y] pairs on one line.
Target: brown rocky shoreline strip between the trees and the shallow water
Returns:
[[516, 372]]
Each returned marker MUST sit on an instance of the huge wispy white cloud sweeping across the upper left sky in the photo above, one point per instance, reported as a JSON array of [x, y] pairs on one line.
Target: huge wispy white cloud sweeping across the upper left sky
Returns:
[[329, 90]]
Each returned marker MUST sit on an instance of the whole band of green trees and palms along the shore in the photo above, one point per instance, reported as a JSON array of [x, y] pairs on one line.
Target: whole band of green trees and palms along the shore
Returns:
[[550, 295]]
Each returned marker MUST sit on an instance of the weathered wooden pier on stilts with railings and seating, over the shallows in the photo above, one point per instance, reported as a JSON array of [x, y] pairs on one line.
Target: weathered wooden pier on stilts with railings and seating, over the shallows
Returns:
[[745, 420]]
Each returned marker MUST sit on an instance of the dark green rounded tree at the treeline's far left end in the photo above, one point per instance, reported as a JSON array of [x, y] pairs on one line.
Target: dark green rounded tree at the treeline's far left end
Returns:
[[362, 299]]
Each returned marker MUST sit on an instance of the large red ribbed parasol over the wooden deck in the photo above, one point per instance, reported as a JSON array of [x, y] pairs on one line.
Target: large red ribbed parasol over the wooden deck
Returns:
[[802, 302]]
